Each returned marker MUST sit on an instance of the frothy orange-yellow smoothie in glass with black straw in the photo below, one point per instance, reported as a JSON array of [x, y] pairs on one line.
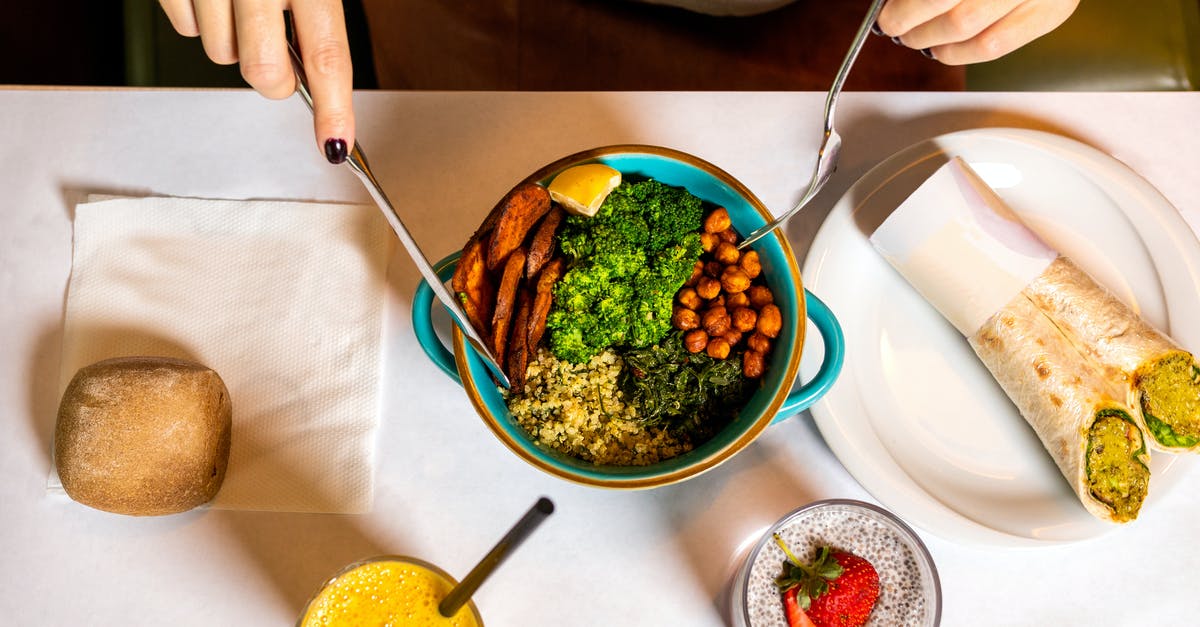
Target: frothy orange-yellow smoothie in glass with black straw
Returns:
[[387, 590]]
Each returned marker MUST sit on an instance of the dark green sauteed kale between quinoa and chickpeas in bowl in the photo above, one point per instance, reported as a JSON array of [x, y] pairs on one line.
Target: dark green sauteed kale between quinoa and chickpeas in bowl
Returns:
[[688, 393]]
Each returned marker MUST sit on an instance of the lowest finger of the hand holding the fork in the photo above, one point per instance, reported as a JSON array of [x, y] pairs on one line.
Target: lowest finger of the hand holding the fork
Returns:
[[1024, 25]]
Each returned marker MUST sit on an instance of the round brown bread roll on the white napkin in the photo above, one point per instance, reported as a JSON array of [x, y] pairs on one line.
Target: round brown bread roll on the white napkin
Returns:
[[143, 435]]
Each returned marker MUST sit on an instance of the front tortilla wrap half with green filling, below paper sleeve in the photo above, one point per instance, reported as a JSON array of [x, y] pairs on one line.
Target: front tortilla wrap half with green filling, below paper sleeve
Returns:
[[1072, 407]]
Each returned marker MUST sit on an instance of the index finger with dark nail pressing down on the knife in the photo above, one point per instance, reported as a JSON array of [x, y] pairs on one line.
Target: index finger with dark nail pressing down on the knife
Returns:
[[321, 29]]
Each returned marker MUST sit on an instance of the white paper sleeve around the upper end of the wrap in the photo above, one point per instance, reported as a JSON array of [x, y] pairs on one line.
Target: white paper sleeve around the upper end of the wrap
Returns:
[[962, 247]]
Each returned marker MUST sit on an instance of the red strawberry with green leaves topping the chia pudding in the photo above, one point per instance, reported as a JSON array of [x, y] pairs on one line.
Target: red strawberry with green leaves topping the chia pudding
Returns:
[[838, 590]]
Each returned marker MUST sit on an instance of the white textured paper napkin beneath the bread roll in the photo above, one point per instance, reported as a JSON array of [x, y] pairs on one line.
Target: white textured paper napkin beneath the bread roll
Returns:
[[284, 300]]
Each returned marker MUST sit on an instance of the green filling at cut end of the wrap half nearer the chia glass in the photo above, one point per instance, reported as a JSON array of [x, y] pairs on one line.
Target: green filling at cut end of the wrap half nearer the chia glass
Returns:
[[1117, 474]]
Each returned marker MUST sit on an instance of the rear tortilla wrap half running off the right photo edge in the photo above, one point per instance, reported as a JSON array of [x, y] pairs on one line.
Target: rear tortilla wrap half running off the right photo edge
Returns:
[[1162, 379]]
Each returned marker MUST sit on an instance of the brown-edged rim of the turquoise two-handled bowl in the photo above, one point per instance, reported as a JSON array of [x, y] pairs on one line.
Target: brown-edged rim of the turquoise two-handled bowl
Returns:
[[718, 457]]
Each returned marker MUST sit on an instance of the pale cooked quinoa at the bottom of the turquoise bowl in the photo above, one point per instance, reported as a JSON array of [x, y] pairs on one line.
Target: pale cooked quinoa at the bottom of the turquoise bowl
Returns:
[[579, 410]]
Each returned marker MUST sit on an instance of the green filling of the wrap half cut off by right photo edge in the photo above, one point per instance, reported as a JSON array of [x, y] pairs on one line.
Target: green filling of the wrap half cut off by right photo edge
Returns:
[[1169, 391]]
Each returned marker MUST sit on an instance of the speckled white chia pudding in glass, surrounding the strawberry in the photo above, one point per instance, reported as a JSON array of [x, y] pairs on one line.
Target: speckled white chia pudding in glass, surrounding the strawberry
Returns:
[[910, 592]]
